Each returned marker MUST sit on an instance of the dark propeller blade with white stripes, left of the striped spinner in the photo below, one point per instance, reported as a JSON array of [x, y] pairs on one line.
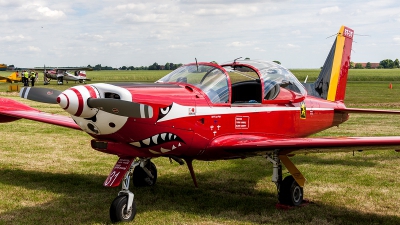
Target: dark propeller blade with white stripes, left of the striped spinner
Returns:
[[45, 95]]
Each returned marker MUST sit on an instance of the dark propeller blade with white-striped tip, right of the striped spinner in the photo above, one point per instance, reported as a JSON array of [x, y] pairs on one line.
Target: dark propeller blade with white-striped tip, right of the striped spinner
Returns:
[[121, 107]]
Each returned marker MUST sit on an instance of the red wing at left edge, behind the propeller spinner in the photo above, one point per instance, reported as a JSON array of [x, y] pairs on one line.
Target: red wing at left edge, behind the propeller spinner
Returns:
[[12, 110]]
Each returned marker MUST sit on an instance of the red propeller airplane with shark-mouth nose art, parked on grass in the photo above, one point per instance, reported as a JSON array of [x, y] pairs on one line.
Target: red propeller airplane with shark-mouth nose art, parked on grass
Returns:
[[206, 111]]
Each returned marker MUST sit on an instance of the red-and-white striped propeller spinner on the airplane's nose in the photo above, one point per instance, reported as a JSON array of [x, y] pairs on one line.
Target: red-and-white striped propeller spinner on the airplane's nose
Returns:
[[74, 101]]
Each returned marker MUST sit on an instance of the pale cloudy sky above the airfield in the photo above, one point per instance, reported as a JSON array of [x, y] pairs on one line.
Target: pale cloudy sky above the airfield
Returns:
[[138, 33]]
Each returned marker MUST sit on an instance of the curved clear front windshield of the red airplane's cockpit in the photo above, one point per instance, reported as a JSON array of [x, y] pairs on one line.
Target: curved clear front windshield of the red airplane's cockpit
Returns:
[[211, 80]]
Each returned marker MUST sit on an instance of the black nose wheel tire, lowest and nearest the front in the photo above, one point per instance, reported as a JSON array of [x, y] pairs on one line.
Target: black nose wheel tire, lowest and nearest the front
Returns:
[[118, 211]]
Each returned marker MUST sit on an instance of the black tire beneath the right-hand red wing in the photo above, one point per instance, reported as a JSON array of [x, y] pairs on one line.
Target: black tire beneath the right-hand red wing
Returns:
[[290, 192]]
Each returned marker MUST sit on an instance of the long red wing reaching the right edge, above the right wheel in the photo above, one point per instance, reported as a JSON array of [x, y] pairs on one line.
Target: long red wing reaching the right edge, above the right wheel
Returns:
[[255, 145]]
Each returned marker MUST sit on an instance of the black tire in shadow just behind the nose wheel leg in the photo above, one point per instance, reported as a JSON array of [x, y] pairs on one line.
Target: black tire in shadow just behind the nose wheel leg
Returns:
[[140, 177]]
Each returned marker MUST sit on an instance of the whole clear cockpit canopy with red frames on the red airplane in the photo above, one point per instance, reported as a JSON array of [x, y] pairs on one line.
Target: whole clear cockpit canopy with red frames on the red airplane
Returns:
[[240, 81]]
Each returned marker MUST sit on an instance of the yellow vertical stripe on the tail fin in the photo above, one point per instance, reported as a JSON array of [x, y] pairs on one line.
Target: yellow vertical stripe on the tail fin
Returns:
[[337, 62]]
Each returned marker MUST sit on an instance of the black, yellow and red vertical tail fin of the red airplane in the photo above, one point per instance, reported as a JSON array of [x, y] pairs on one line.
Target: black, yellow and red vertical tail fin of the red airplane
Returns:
[[332, 80]]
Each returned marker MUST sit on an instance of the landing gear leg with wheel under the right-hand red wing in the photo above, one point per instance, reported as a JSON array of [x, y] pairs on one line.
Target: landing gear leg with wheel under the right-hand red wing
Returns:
[[290, 189]]
